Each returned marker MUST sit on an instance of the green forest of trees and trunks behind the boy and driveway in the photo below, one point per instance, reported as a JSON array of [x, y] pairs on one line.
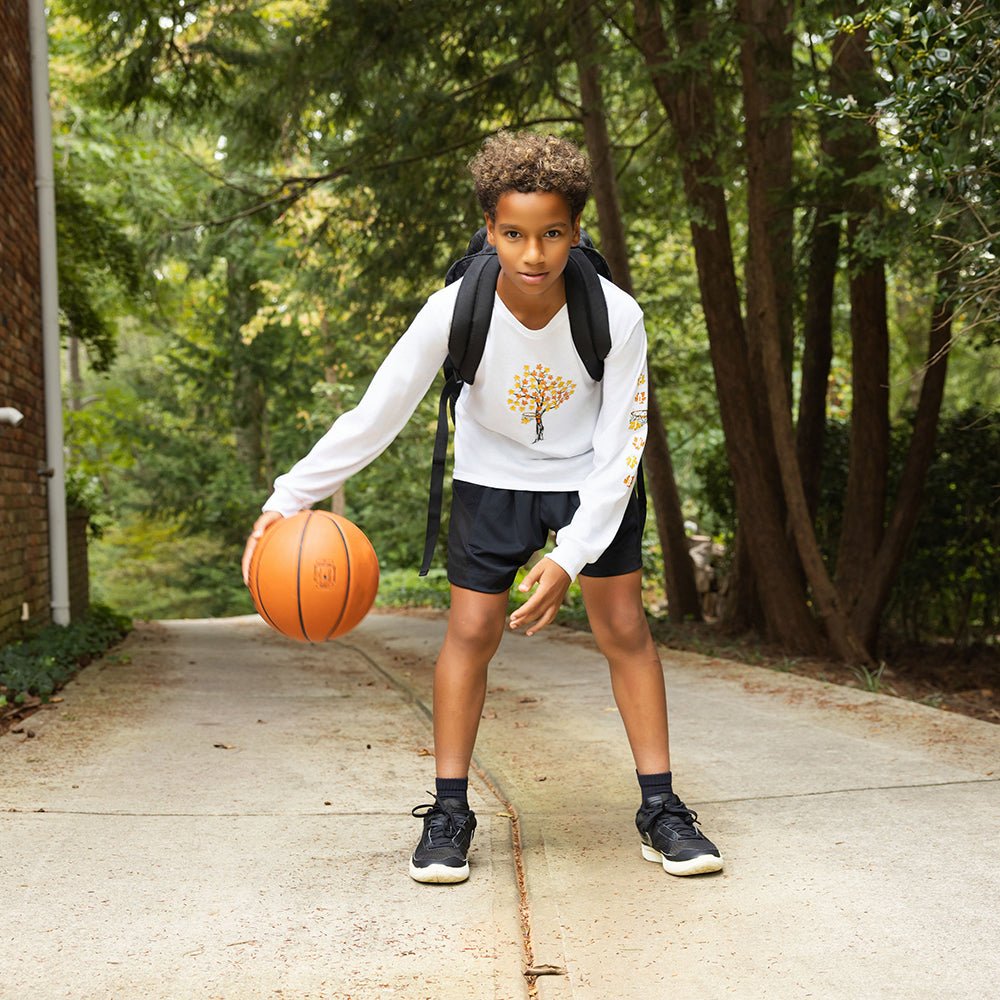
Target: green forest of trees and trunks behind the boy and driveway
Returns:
[[254, 198]]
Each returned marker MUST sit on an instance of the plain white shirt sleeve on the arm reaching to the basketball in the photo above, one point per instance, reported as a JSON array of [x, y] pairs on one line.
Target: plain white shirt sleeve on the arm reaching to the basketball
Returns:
[[359, 436]]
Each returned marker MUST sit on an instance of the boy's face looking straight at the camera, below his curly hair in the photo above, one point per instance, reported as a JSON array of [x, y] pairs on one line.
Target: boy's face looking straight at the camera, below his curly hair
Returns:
[[533, 234]]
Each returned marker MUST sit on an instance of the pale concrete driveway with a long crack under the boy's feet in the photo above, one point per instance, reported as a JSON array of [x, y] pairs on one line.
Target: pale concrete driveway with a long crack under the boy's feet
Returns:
[[216, 812]]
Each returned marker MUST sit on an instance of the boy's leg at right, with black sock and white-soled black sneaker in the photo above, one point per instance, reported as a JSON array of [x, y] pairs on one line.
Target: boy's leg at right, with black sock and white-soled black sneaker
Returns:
[[618, 622]]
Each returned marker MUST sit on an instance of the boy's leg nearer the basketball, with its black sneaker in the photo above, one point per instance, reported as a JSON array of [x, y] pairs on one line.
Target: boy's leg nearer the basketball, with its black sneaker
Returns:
[[475, 627]]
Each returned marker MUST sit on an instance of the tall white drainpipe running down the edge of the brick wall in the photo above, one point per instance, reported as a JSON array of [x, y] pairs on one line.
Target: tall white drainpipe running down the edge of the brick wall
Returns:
[[46, 196]]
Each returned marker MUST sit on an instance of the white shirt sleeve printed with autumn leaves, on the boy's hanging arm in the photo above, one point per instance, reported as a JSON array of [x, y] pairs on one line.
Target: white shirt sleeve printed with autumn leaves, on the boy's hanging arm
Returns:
[[619, 440]]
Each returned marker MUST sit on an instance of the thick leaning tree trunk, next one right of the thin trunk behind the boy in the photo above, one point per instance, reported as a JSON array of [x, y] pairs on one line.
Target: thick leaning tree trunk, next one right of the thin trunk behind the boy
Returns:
[[689, 100]]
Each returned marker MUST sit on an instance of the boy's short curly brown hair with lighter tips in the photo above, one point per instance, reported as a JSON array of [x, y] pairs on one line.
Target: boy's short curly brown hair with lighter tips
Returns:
[[527, 162]]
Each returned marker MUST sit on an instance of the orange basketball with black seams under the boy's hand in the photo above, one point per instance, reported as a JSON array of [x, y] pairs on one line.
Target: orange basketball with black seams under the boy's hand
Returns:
[[313, 576]]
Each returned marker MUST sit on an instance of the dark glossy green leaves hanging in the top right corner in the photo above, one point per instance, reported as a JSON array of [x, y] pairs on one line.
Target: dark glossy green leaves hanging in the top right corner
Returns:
[[937, 111]]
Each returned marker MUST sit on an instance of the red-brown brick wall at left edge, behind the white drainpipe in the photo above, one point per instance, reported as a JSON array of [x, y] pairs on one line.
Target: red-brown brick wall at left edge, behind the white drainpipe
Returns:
[[24, 547]]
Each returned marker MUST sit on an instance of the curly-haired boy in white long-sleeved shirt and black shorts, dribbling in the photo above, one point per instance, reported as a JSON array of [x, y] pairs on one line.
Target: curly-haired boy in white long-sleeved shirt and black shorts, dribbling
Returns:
[[539, 446]]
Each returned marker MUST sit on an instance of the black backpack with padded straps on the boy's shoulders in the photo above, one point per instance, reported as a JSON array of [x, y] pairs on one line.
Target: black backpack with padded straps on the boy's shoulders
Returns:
[[470, 323]]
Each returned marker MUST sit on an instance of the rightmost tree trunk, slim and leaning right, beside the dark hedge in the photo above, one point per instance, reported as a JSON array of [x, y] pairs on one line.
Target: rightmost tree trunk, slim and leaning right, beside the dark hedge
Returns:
[[867, 612]]
